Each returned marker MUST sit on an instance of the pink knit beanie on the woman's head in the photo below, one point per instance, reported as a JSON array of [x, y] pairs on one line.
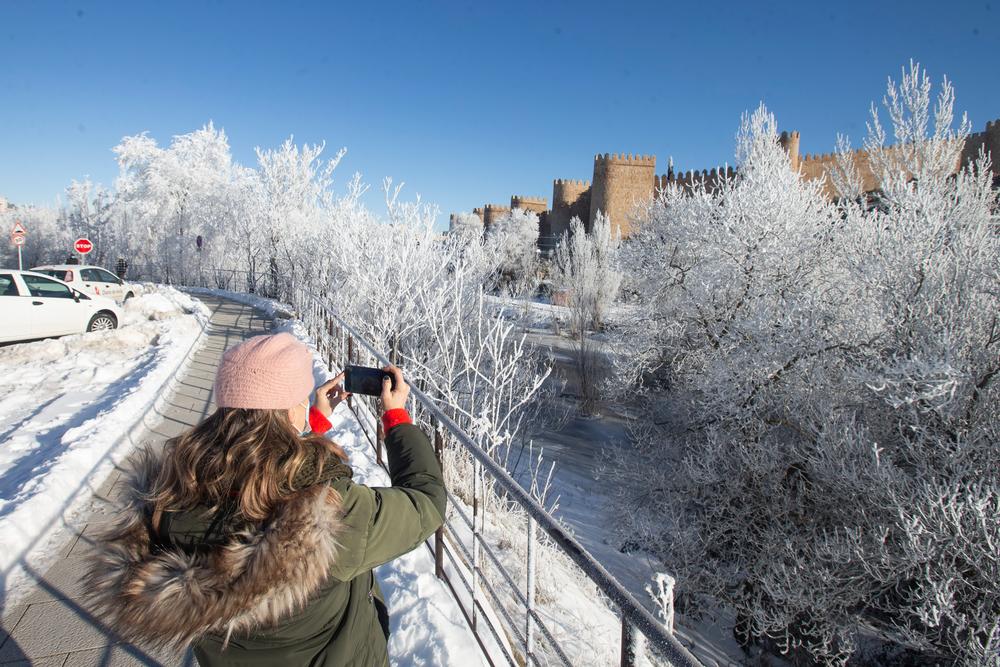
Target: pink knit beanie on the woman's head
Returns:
[[266, 373]]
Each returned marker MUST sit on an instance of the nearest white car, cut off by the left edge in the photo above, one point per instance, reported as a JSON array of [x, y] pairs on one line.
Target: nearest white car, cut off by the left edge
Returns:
[[33, 305]]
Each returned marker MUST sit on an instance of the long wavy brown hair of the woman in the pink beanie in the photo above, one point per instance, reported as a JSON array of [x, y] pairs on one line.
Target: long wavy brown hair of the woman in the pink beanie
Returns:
[[242, 455]]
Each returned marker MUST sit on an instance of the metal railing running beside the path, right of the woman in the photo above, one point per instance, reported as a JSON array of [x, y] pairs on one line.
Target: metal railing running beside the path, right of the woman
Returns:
[[514, 641]]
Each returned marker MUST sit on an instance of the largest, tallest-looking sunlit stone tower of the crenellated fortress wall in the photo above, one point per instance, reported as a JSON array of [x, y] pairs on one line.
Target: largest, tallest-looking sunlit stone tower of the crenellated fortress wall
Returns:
[[620, 183]]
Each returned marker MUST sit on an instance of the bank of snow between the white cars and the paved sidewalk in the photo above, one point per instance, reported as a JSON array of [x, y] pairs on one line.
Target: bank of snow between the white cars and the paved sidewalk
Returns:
[[64, 406]]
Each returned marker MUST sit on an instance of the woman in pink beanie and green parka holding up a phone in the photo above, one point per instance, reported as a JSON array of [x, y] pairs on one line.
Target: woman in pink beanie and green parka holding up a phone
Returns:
[[246, 538]]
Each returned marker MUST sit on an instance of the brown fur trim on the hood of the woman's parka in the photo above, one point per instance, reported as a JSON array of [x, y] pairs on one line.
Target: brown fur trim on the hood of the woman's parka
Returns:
[[165, 596]]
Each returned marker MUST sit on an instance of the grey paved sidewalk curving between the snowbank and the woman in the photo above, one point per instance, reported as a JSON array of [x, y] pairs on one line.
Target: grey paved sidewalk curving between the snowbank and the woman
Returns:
[[49, 628]]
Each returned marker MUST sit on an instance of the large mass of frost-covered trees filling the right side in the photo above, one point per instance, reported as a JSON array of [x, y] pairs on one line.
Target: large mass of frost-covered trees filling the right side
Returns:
[[822, 380]]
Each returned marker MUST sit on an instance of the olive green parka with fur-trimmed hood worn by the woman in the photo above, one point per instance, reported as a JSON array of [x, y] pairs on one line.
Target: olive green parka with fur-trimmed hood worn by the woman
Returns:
[[297, 590]]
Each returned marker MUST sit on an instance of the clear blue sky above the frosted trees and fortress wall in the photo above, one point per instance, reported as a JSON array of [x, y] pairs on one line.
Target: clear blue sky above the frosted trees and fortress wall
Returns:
[[465, 102]]
